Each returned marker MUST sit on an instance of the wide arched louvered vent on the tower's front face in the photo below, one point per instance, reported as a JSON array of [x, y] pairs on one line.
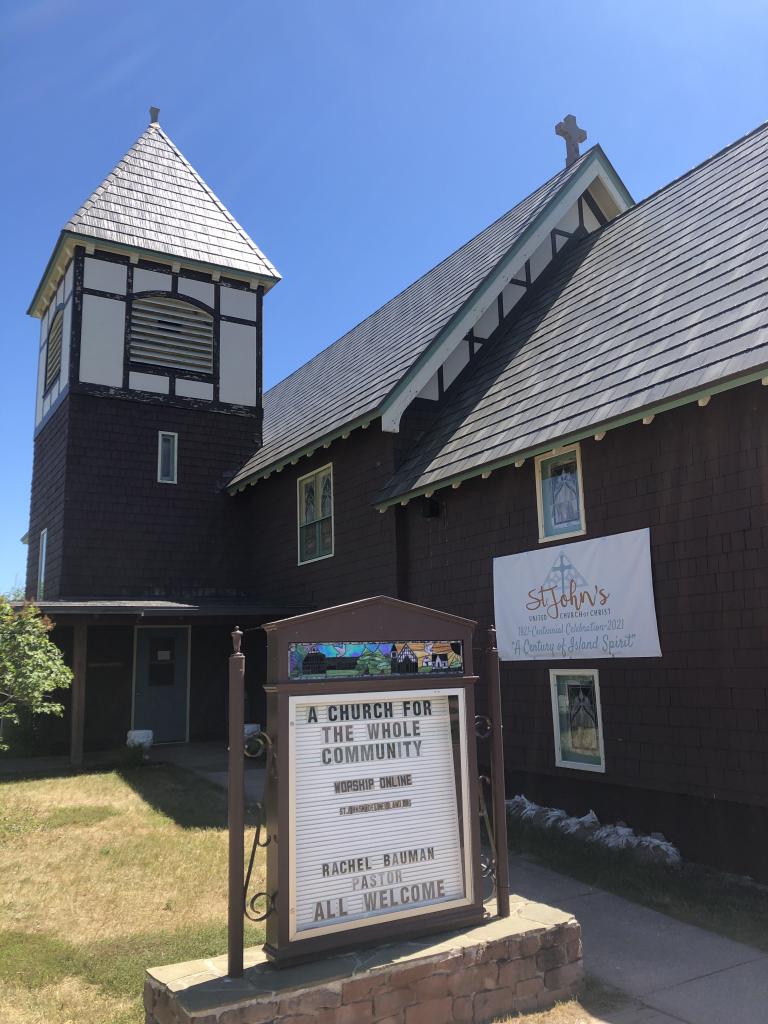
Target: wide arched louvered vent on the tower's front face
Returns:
[[172, 333]]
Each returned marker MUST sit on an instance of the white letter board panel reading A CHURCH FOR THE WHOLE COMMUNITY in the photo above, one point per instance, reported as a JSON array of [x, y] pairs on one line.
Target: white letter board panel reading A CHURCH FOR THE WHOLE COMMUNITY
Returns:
[[376, 829]]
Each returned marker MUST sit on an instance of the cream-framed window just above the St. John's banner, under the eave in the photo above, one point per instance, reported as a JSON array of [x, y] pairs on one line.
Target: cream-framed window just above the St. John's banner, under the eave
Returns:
[[561, 494]]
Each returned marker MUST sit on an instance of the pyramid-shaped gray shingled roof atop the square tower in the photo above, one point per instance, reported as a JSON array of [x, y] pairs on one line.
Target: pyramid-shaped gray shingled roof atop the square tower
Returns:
[[155, 200]]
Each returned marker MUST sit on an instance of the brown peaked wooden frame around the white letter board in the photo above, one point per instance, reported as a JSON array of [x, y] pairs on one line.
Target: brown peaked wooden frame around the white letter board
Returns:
[[374, 620]]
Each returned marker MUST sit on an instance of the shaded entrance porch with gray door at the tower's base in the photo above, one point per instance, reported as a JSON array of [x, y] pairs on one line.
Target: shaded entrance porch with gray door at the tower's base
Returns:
[[153, 665]]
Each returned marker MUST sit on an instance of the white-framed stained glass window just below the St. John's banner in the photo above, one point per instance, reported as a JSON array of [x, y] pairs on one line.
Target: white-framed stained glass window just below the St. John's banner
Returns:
[[576, 714]]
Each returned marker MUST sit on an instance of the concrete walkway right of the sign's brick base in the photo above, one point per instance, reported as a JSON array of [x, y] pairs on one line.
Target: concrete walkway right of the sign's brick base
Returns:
[[676, 973]]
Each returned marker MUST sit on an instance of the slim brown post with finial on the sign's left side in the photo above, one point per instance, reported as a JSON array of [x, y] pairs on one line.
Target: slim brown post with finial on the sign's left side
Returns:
[[236, 808]]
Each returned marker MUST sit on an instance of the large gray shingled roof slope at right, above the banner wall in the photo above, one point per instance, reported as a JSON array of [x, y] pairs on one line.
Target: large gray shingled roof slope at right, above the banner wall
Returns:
[[669, 300]]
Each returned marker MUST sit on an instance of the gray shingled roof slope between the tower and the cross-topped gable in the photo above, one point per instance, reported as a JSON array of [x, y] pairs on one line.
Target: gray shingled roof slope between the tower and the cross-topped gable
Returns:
[[352, 378]]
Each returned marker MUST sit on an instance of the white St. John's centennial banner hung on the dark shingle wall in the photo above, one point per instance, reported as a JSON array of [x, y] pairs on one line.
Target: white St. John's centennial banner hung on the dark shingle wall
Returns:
[[583, 601]]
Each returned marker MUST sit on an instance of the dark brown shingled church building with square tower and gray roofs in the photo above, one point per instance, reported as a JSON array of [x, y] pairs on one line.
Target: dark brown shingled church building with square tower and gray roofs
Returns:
[[585, 369]]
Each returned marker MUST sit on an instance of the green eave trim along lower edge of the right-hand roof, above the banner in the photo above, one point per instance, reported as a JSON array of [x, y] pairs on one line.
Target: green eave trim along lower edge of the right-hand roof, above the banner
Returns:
[[636, 416]]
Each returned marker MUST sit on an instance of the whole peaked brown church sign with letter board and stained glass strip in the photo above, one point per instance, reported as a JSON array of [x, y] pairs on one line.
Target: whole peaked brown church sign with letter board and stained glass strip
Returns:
[[372, 792]]
